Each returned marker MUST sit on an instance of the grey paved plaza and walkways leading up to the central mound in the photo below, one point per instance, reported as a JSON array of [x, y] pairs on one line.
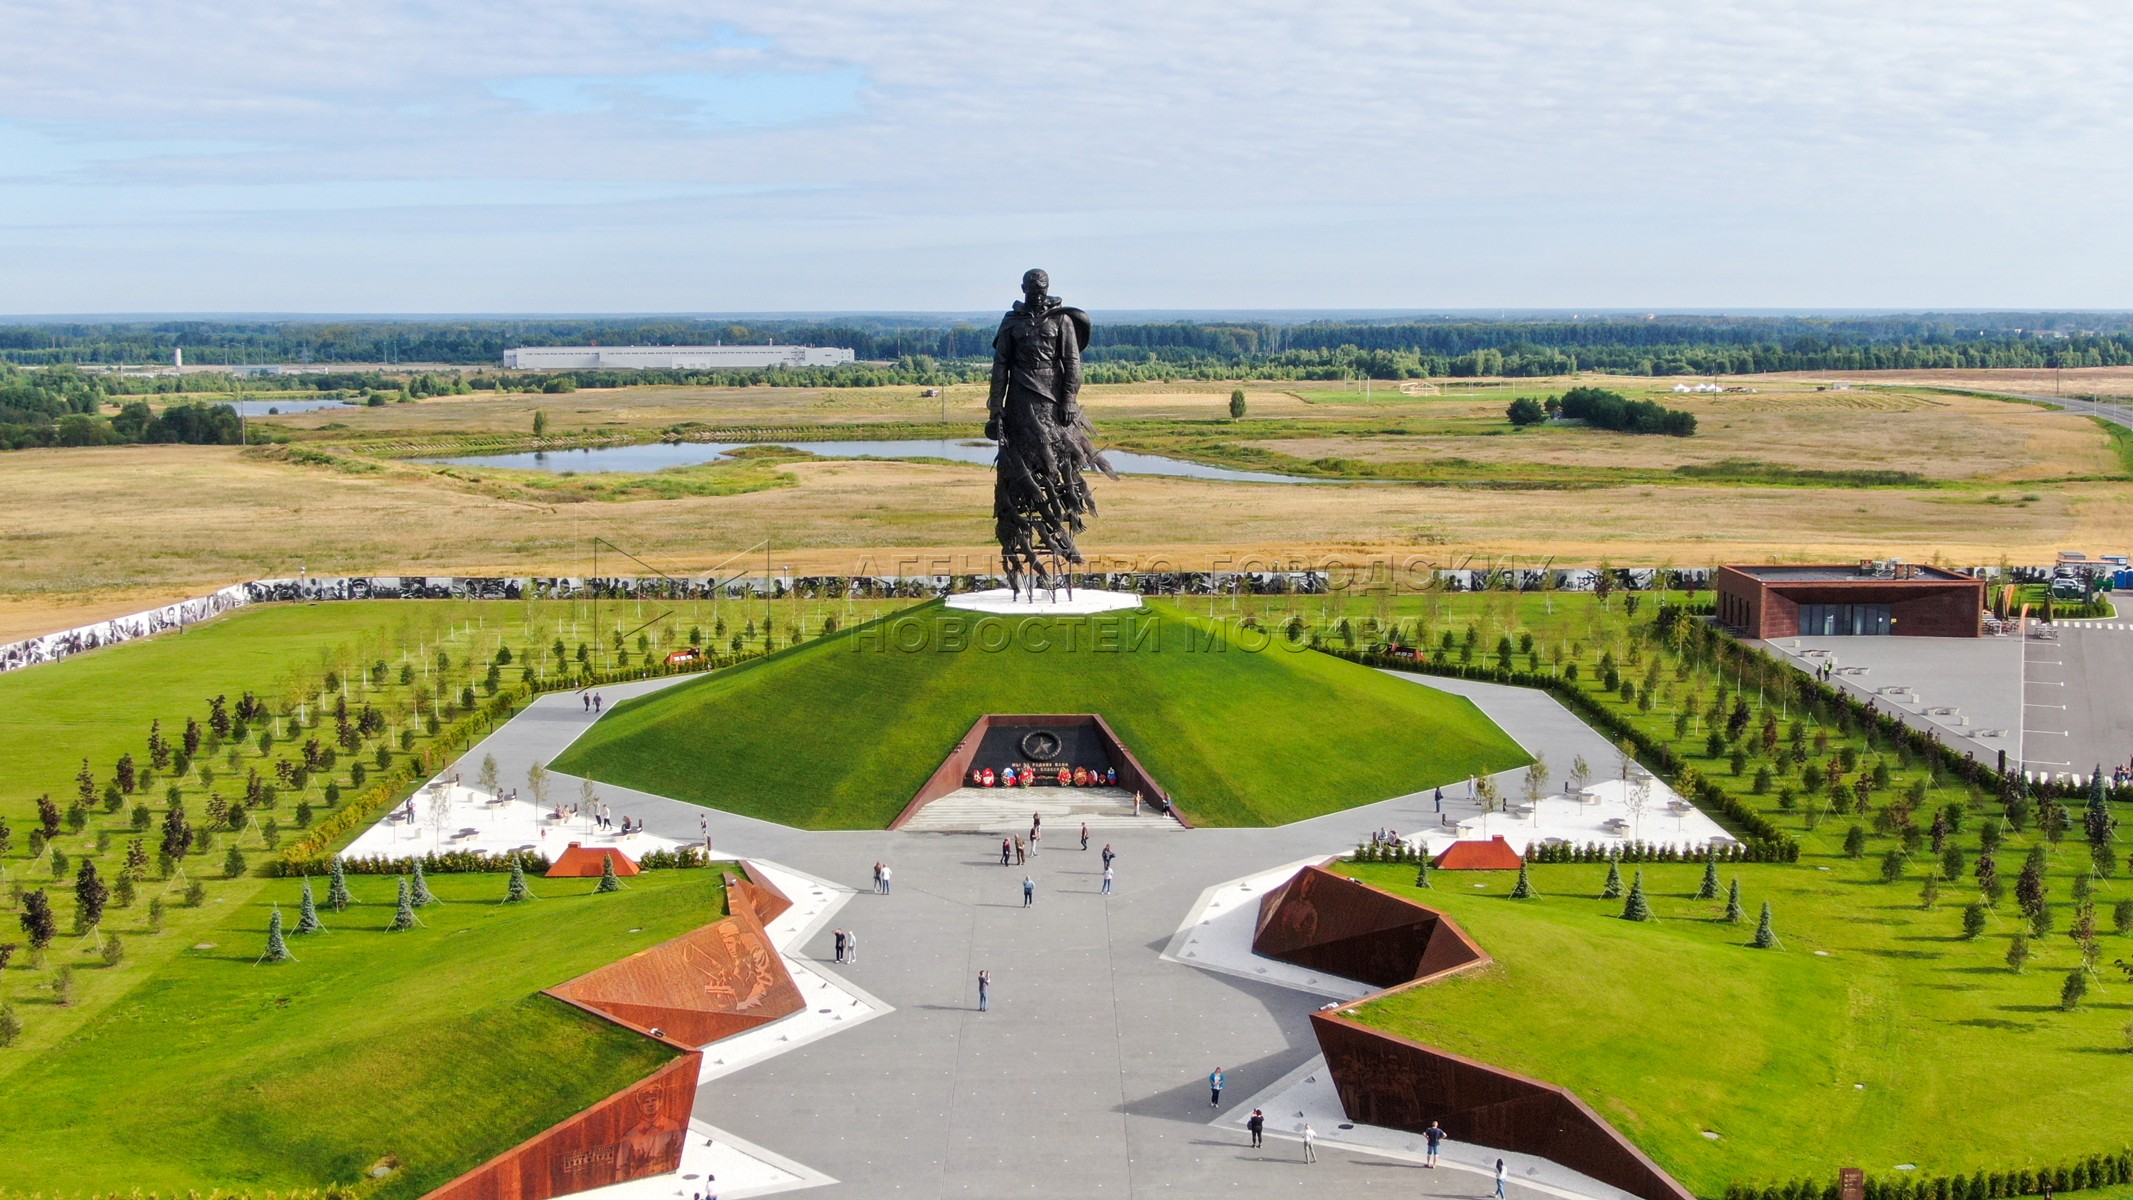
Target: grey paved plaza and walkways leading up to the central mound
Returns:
[[1089, 1073]]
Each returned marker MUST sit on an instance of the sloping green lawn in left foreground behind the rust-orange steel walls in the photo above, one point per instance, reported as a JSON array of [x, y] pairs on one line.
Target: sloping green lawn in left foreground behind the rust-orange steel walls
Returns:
[[430, 1045]]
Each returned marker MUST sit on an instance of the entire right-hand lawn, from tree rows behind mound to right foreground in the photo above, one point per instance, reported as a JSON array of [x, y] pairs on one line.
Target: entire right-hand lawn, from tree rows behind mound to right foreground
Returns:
[[1678, 1028]]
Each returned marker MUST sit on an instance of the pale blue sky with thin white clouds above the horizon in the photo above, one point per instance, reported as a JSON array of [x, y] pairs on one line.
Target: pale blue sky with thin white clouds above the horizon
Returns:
[[645, 157]]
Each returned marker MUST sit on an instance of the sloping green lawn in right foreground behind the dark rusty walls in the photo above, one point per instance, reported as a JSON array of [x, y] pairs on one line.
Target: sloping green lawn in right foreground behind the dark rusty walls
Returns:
[[1675, 1028]]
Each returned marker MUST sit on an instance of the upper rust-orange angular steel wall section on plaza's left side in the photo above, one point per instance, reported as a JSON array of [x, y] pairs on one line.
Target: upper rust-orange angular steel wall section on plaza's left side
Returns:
[[705, 986]]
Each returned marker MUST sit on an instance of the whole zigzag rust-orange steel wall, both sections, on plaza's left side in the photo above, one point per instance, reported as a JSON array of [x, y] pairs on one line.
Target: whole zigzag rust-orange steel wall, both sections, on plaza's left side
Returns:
[[641, 1131]]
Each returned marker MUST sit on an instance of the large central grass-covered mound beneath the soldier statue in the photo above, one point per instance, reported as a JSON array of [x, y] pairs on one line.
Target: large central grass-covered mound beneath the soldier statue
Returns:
[[839, 734]]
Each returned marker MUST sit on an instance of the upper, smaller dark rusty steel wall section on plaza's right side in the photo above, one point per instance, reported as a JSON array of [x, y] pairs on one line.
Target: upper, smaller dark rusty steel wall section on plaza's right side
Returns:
[[1353, 930]]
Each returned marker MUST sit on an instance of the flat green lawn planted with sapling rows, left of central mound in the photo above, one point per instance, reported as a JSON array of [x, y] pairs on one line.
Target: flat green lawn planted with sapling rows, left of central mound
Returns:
[[99, 707]]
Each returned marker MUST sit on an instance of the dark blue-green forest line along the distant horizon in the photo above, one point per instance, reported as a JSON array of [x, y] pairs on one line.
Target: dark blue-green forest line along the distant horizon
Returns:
[[897, 353]]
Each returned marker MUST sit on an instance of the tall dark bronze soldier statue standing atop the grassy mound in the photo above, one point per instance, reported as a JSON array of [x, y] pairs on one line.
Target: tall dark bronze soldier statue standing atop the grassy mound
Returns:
[[1036, 417]]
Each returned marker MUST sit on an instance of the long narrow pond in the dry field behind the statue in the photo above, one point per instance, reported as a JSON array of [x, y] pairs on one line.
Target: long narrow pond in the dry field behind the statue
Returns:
[[662, 455]]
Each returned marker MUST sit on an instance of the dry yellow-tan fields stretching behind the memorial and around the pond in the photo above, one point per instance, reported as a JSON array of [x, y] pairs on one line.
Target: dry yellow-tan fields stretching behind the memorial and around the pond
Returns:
[[112, 530]]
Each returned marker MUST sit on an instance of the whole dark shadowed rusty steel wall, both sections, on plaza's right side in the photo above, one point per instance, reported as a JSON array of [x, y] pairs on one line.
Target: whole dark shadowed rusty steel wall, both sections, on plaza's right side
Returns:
[[1347, 928]]
